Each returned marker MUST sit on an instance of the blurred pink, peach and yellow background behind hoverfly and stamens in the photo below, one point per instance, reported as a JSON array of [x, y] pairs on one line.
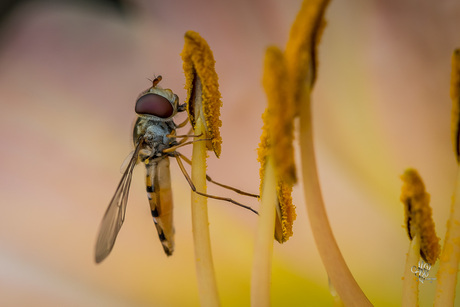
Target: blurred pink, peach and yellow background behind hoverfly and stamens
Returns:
[[69, 75]]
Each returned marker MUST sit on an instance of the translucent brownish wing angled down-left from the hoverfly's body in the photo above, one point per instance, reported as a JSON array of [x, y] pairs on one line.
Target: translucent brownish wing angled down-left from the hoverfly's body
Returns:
[[115, 214]]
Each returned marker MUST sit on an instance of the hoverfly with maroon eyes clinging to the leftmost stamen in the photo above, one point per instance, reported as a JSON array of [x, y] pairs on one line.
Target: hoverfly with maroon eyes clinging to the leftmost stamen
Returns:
[[154, 139]]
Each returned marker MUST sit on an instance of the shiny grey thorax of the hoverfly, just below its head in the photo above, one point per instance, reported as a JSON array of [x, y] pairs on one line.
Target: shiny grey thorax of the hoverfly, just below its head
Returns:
[[155, 137]]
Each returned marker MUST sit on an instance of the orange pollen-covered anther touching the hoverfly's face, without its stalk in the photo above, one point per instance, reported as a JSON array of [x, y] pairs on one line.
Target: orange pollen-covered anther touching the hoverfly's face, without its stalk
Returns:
[[203, 96]]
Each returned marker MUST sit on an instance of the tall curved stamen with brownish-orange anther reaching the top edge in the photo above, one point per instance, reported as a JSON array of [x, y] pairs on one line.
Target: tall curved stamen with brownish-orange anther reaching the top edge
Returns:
[[301, 59]]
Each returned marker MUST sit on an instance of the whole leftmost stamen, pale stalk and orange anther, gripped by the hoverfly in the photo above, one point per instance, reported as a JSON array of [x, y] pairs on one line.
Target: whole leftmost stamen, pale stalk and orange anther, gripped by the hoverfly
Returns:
[[203, 107]]
